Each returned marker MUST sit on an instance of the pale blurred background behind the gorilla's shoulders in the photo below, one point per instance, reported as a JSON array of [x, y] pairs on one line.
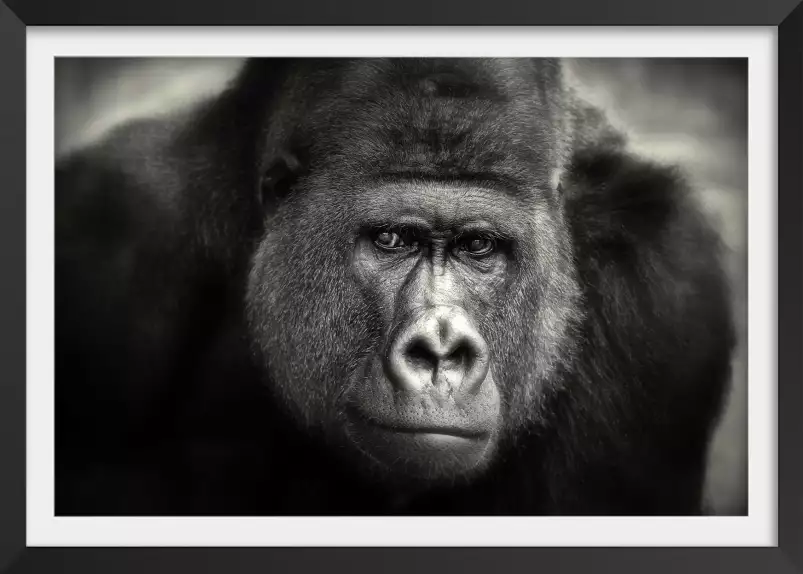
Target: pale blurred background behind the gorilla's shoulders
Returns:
[[692, 112]]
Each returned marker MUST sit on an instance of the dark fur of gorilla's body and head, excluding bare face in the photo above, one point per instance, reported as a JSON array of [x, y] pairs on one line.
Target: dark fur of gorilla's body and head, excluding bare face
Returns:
[[161, 406]]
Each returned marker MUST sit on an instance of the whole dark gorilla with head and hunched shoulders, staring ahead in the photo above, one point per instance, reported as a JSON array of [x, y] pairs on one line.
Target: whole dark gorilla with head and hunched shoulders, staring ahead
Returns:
[[384, 286]]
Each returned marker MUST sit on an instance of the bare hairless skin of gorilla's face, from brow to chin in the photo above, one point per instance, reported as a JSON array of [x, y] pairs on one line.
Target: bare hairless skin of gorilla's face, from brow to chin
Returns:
[[432, 260]]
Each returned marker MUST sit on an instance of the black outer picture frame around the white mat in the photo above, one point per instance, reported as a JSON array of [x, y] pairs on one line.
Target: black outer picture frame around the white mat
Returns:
[[15, 15]]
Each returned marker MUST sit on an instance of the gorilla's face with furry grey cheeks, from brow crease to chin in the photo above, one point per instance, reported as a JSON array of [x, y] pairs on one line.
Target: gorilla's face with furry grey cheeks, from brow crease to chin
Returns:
[[413, 322]]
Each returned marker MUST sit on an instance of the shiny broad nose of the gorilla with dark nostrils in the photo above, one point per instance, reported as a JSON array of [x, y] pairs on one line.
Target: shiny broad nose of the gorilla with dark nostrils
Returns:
[[439, 347]]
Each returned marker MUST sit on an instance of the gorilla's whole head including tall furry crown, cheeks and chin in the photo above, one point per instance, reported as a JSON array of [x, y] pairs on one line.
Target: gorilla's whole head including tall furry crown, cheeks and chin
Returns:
[[414, 290]]
